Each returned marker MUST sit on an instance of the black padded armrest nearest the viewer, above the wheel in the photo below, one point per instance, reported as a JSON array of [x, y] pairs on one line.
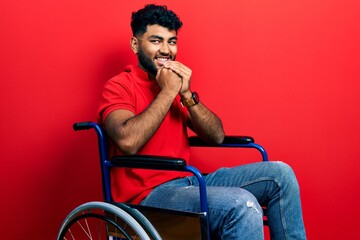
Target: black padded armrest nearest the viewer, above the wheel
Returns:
[[149, 162]]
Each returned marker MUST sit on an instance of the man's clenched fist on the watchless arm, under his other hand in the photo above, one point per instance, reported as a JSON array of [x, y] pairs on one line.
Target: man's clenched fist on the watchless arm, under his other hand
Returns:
[[168, 80]]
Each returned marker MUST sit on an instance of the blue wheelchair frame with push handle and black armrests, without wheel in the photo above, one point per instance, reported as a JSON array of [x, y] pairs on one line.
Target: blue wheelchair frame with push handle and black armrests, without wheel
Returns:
[[161, 163]]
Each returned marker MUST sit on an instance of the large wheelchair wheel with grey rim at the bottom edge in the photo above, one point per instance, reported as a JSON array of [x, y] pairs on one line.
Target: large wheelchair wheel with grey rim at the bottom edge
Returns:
[[100, 220]]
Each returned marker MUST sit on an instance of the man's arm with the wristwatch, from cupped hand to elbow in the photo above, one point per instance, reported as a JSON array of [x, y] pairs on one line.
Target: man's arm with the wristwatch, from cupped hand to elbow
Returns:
[[201, 120]]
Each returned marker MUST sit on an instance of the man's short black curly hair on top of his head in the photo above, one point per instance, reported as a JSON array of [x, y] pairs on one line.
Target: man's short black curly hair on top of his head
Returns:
[[153, 14]]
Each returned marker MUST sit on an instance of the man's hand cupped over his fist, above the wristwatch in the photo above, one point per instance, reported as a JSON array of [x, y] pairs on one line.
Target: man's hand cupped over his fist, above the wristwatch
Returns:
[[184, 72]]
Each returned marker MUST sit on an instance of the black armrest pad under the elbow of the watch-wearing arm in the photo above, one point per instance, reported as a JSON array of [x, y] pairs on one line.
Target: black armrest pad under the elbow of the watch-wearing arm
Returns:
[[228, 141]]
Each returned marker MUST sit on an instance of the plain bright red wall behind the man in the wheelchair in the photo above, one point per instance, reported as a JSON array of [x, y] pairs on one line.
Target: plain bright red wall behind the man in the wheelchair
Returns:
[[286, 72]]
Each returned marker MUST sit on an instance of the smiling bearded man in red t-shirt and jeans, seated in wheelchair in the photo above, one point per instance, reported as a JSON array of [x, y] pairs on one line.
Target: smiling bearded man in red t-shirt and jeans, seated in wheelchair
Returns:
[[146, 110]]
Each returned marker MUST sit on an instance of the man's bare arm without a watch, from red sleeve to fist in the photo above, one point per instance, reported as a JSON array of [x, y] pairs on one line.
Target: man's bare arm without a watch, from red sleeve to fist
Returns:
[[129, 131]]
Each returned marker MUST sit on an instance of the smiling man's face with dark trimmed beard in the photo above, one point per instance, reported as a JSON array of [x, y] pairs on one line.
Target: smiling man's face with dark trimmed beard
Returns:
[[154, 47]]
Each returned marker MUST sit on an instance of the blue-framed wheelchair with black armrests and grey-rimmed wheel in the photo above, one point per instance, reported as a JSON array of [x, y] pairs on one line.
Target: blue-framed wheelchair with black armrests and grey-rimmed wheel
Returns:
[[117, 221]]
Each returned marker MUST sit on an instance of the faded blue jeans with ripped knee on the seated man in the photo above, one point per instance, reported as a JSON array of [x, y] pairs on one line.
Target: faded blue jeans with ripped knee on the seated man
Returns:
[[234, 199]]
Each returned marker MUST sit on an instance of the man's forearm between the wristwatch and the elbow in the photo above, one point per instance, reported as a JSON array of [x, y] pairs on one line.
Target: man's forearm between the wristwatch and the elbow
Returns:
[[206, 124]]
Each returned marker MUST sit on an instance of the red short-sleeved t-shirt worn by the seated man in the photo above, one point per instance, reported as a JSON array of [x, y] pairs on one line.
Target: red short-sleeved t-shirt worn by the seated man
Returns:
[[133, 91]]
